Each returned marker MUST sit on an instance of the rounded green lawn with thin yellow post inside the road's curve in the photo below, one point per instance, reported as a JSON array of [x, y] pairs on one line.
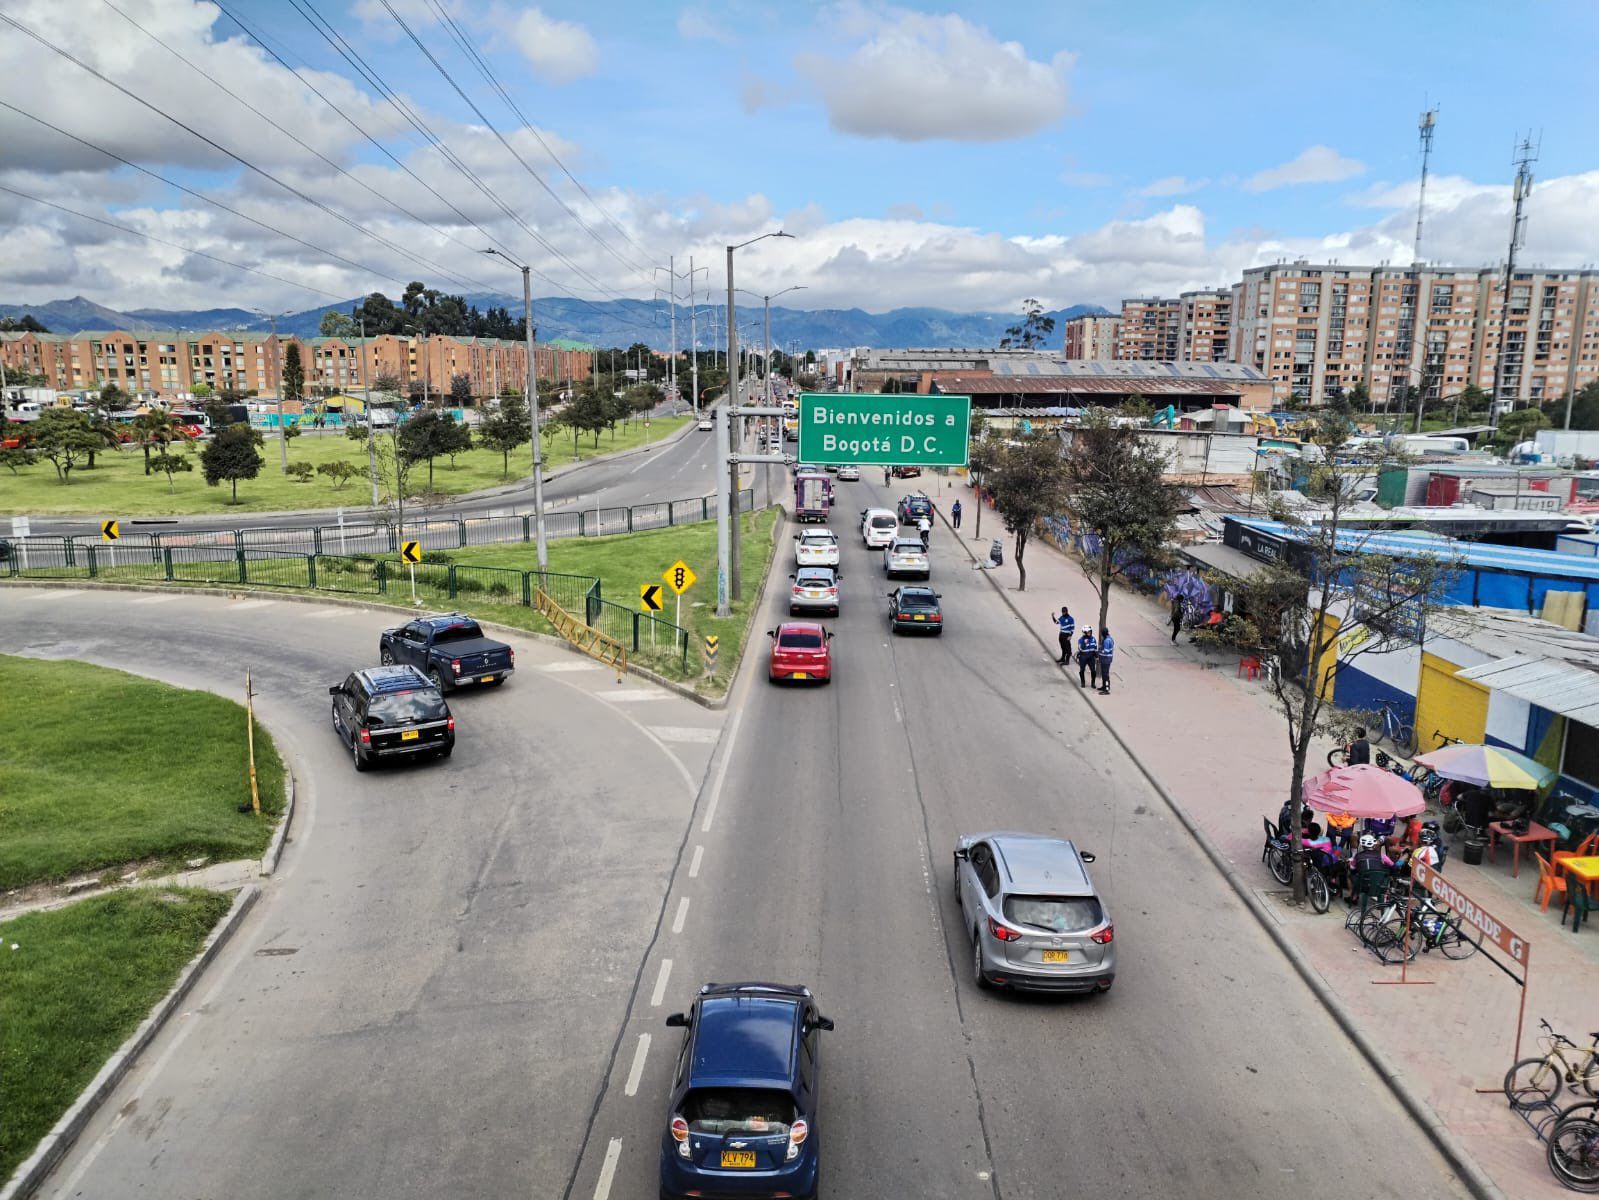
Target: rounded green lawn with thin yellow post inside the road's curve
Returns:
[[102, 769]]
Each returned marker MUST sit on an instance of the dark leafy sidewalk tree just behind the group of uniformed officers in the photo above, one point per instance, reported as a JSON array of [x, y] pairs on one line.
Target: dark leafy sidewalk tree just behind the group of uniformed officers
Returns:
[[1119, 500]]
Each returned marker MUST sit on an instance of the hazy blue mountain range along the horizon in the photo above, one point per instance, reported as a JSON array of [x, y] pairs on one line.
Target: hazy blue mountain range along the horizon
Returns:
[[620, 322]]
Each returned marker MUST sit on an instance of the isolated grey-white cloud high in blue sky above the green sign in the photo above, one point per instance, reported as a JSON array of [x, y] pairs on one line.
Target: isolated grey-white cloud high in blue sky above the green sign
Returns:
[[920, 78]]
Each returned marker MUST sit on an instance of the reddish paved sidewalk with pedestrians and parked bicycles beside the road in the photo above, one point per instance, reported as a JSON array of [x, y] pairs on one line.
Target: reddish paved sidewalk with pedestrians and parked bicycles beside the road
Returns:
[[1219, 746]]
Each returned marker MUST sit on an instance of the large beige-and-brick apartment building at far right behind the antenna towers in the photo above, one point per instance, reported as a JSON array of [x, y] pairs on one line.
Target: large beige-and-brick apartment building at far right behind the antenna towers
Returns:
[[1323, 329]]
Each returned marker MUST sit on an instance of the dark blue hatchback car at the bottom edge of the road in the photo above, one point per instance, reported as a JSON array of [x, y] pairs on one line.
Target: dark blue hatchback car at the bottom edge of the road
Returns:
[[744, 1097]]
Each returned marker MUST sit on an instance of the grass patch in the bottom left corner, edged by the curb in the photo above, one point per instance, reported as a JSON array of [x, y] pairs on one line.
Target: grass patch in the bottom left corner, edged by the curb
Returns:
[[74, 985]]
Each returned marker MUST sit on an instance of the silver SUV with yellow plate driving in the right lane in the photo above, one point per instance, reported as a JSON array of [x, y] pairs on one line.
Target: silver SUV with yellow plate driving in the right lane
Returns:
[[1034, 916]]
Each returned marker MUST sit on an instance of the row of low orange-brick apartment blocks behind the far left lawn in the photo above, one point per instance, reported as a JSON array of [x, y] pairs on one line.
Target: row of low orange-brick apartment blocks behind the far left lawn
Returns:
[[173, 364]]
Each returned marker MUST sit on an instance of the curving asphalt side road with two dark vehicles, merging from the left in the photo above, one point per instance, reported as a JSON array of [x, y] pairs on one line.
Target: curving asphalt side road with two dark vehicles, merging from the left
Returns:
[[426, 996]]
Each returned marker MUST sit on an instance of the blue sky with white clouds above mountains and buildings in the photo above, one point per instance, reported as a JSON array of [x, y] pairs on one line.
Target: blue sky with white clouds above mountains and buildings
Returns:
[[968, 156]]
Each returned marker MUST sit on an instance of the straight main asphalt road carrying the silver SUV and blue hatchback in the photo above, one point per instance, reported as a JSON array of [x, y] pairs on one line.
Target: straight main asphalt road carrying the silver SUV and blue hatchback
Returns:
[[821, 855]]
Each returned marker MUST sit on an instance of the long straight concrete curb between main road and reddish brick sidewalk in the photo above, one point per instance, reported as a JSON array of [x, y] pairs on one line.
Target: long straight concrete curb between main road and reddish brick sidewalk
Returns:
[[1410, 1098]]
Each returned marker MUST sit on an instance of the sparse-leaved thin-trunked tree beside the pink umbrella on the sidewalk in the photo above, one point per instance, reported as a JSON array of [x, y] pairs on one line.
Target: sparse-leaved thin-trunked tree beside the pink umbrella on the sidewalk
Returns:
[[1328, 601]]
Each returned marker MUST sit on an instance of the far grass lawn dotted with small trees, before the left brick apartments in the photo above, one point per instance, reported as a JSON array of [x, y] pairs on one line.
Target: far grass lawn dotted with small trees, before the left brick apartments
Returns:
[[119, 487]]
